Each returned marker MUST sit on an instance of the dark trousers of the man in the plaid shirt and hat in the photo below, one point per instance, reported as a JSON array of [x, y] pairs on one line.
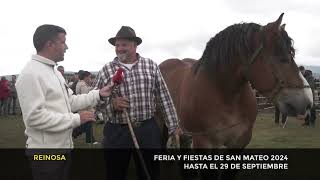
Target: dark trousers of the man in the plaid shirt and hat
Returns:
[[119, 147]]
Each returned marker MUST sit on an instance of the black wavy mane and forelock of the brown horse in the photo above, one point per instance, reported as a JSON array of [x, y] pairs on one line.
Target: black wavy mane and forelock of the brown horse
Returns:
[[235, 43]]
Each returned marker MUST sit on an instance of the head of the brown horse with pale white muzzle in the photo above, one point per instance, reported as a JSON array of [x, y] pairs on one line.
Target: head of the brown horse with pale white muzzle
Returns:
[[274, 73]]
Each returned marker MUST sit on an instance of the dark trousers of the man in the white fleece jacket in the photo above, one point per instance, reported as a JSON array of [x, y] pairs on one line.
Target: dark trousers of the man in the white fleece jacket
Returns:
[[50, 170]]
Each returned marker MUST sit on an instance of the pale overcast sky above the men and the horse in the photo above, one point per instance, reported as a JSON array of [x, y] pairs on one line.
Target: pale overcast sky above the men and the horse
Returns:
[[168, 28]]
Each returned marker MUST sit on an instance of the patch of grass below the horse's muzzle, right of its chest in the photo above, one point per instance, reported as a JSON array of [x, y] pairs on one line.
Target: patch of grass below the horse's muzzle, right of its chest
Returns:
[[268, 135]]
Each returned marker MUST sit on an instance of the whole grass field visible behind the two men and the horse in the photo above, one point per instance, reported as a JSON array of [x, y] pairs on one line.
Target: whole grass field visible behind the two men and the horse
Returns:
[[265, 135]]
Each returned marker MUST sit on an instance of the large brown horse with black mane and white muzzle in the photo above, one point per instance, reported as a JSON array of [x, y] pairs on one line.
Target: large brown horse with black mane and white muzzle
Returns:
[[213, 96]]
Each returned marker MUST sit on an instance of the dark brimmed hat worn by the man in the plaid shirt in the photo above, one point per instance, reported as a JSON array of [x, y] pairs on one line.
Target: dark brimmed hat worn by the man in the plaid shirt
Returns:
[[125, 32]]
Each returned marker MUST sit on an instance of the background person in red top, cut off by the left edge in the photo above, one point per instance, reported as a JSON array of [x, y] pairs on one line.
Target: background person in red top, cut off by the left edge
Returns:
[[4, 96]]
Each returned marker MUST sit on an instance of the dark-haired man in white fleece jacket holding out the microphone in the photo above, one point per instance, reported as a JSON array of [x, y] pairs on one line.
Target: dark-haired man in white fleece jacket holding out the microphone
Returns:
[[48, 104]]
